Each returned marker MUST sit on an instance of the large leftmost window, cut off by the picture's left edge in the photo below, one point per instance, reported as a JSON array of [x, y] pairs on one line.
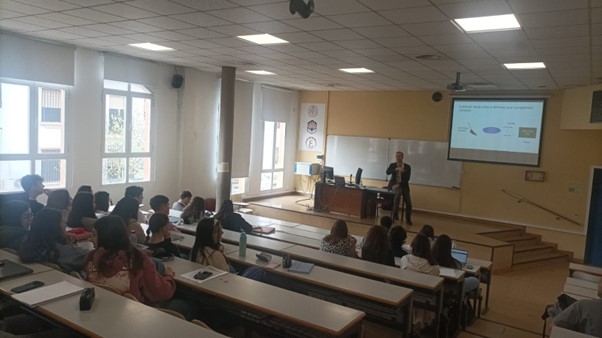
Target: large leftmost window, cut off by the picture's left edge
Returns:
[[32, 134]]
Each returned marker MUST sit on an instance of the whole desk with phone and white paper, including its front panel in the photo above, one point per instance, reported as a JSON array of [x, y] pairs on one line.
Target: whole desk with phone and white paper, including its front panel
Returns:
[[271, 306]]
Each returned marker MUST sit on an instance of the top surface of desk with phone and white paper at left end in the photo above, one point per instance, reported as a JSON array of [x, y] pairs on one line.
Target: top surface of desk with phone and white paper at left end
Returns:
[[300, 309]]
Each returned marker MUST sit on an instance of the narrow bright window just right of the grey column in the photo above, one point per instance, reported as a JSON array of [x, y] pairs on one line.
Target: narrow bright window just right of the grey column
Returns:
[[272, 170]]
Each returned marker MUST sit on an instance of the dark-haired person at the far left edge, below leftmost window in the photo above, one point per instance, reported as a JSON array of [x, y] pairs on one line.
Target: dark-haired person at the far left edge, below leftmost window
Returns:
[[15, 221]]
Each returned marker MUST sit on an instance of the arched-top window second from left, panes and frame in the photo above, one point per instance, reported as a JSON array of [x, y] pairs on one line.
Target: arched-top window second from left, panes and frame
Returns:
[[127, 154]]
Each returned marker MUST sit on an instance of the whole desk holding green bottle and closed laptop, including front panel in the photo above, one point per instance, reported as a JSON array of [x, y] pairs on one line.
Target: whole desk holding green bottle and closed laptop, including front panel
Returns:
[[381, 301]]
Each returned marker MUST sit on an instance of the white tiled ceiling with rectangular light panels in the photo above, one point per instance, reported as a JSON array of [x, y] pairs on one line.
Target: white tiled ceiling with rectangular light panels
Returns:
[[382, 35]]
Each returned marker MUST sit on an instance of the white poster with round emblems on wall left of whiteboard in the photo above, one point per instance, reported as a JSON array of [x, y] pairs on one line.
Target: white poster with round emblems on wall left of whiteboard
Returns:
[[311, 126]]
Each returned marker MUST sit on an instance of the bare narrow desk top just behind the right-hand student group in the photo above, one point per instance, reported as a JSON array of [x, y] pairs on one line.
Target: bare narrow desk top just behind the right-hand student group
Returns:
[[379, 271]]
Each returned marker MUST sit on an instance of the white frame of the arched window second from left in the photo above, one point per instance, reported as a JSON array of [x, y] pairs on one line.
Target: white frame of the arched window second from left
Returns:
[[128, 154]]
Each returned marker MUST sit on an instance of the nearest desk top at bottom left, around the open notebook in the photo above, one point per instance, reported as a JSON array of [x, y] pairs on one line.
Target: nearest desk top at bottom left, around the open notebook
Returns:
[[111, 315]]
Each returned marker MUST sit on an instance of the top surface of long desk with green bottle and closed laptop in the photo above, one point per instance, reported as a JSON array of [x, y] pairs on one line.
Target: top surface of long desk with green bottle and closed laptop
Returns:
[[335, 280]]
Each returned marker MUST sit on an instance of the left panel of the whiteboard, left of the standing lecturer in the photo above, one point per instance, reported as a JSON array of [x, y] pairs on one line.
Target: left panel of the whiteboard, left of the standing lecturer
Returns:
[[347, 153]]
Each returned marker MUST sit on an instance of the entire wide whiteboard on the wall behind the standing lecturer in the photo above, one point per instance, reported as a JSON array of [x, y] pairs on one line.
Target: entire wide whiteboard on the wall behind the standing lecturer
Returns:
[[428, 159]]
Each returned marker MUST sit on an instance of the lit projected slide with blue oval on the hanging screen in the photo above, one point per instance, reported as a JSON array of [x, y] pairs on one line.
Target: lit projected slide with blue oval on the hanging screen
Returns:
[[497, 126]]
